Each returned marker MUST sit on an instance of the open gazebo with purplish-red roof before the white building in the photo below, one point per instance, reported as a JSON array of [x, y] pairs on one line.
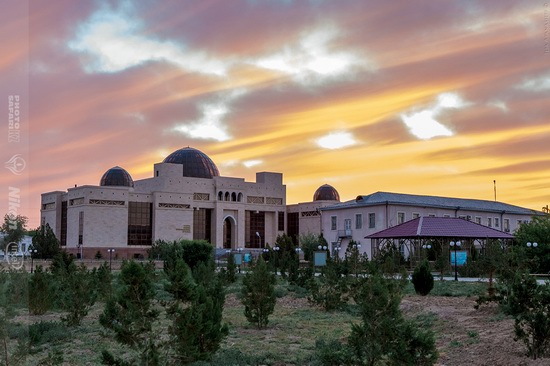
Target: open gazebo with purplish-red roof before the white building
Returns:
[[414, 237]]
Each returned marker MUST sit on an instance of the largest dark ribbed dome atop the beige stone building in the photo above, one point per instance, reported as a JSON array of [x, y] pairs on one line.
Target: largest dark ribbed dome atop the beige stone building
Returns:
[[195, 163]]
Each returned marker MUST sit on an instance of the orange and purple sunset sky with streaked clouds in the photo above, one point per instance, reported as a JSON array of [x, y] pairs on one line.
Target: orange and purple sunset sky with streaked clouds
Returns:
[[421, 97]]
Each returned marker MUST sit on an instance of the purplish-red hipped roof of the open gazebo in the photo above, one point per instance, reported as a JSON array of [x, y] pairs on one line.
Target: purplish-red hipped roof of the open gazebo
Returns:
[[440, 227]]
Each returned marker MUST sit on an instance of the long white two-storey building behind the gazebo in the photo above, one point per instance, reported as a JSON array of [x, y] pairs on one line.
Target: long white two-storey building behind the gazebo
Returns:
[[366, 215]]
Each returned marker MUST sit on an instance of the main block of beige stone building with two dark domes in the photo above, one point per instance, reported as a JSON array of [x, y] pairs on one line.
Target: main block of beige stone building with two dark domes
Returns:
[[185, 199]]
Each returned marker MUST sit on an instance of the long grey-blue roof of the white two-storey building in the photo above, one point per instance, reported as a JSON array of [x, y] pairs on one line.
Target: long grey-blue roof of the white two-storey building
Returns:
[[382, 198]]
